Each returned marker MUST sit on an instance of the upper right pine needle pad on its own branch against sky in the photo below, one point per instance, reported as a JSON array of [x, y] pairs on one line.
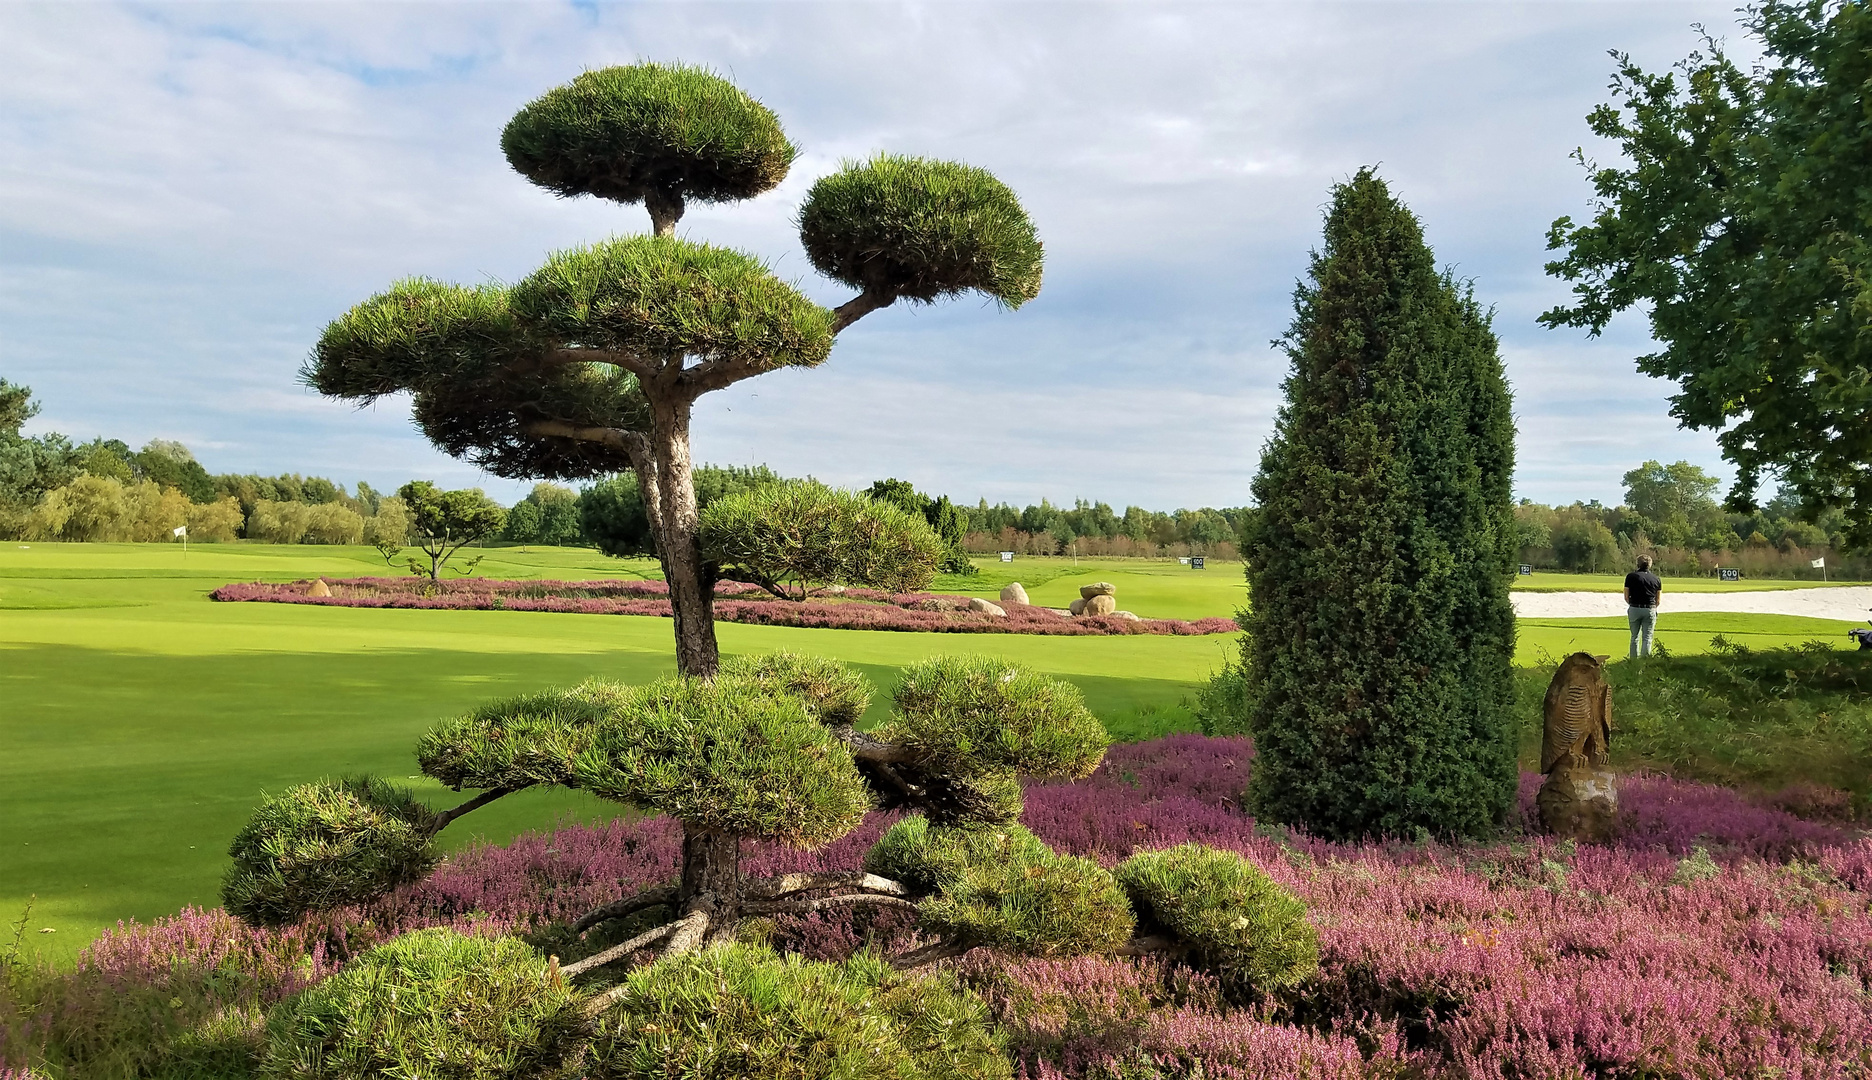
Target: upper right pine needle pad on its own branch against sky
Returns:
[[918, 229]]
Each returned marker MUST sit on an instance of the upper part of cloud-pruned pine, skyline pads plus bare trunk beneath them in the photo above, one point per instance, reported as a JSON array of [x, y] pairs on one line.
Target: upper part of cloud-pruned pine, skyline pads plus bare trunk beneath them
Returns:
[[594, 364]]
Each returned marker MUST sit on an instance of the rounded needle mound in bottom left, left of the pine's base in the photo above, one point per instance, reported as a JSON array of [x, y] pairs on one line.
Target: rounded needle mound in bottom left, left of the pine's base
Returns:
[[430, 1006]]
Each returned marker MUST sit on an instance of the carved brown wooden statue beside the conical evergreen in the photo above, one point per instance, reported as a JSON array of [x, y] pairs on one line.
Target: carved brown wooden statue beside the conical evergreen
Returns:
[[1579, 796]]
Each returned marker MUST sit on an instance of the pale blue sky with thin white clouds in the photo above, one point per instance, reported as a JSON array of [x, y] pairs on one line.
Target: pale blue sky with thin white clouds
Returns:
[[190, 192]]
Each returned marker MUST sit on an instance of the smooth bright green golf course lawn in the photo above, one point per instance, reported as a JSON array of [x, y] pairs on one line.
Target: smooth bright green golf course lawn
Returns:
[[139, 722]]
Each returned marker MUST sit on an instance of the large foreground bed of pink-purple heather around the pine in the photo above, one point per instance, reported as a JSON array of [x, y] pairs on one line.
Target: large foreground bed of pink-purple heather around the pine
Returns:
[[1712, 939]]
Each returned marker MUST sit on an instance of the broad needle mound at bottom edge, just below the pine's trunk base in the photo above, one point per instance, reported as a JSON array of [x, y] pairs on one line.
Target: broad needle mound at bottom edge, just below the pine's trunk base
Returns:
[[740, 1012]]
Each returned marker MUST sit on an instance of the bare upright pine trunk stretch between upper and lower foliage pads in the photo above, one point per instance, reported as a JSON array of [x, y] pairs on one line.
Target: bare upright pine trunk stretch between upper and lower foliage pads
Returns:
[[680, 542]]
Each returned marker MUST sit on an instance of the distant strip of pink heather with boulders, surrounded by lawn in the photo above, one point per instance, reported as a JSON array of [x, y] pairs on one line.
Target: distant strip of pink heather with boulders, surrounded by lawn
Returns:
[[735, 604]]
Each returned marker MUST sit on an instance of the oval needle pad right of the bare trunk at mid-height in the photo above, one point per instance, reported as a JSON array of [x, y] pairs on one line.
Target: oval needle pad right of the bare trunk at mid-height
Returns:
[[800, 536]]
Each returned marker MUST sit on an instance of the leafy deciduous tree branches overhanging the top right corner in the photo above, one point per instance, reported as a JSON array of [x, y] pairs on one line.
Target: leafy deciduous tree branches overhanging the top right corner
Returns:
[[1740, 220]]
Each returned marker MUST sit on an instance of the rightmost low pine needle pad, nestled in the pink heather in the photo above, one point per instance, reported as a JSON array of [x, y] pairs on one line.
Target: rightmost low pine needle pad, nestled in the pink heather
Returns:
[[1236, 922]]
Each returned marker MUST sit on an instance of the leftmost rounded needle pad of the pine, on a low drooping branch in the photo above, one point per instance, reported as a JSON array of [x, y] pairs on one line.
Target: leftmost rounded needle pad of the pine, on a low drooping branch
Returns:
[[323, 847]]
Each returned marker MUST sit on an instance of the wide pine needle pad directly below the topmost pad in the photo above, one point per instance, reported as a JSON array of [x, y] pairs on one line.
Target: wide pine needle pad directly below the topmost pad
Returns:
[[667, 299]]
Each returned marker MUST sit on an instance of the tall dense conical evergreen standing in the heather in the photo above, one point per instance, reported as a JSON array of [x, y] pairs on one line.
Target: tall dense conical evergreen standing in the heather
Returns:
[[1381, 632]]
